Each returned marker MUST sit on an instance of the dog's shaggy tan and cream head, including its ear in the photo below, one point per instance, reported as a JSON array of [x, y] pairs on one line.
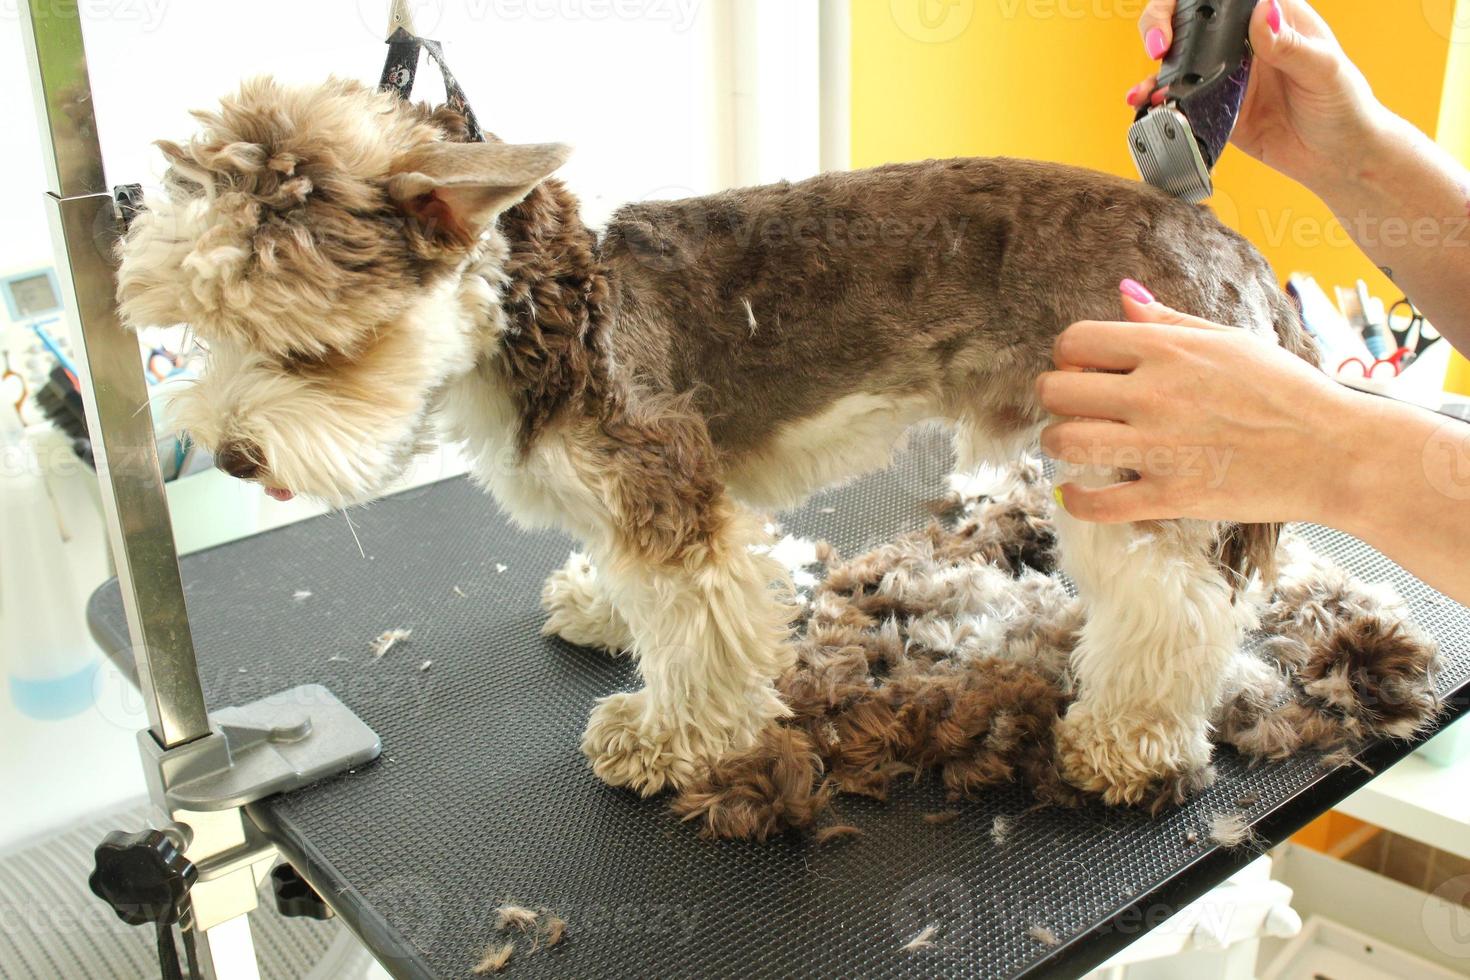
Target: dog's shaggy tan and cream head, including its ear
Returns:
[[317, 242]]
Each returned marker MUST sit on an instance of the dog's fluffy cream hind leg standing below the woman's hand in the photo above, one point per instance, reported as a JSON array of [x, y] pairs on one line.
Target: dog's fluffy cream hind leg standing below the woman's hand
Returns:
[[1161, 635]]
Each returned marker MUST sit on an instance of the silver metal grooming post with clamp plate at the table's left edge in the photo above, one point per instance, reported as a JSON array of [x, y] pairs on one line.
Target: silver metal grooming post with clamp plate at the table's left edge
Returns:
[[207, 854]]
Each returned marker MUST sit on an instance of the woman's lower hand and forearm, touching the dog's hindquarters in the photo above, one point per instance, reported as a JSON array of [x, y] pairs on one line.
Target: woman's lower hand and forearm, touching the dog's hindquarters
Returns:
[[1224, 425]]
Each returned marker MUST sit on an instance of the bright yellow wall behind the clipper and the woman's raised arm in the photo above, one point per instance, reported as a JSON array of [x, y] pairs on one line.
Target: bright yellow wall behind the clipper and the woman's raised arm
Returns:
[[1046, 79]]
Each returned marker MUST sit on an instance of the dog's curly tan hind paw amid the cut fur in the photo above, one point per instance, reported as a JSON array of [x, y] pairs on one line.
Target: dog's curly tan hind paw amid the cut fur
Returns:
[[1133, 760]]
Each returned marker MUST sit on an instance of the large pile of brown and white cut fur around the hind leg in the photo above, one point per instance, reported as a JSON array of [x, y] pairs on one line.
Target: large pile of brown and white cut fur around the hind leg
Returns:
[[947, 652]]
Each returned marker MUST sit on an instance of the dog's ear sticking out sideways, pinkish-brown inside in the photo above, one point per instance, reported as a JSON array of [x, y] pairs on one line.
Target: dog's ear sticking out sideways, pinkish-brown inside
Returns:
[[455, 190]]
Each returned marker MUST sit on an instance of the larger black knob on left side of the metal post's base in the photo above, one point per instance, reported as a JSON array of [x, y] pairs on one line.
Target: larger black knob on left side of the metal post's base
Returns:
[[143, 876]]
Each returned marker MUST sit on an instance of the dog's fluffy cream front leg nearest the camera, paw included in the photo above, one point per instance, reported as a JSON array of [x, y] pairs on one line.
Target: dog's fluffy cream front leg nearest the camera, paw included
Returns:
[[711, 638]]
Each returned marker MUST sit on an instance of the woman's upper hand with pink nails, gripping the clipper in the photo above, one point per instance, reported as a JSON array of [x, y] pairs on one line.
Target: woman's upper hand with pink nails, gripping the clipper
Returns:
[[1308, 105]]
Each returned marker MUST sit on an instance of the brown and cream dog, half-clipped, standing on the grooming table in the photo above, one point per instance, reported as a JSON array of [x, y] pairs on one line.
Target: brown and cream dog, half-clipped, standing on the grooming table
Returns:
[[361, 274]]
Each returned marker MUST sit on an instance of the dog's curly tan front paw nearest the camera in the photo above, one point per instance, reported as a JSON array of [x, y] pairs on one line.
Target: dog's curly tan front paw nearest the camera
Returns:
[[628, 750]]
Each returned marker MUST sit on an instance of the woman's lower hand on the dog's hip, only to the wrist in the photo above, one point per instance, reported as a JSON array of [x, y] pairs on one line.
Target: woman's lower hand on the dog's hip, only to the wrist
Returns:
[[1219, 424]]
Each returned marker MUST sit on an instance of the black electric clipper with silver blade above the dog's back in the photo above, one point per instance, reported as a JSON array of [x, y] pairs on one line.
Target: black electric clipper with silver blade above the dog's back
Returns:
[[1177, 145]]
